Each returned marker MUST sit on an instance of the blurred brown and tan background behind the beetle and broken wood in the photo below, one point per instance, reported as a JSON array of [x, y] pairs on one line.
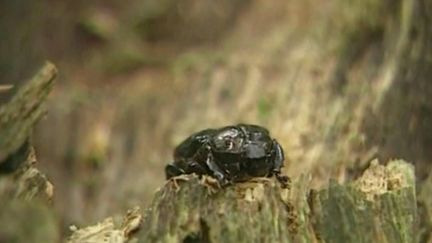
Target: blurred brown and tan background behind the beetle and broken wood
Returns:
[[138, 76]]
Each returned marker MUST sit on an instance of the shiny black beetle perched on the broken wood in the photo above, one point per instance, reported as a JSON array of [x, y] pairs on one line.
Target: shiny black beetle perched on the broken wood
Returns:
[[229, 154]]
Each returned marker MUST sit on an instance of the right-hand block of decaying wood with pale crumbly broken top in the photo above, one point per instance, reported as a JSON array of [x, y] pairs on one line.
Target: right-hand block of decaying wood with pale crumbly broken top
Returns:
[[378, 207]]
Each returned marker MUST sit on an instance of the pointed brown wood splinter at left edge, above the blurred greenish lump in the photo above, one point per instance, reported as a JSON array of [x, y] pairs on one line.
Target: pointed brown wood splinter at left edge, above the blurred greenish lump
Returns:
[[17, 156]]
